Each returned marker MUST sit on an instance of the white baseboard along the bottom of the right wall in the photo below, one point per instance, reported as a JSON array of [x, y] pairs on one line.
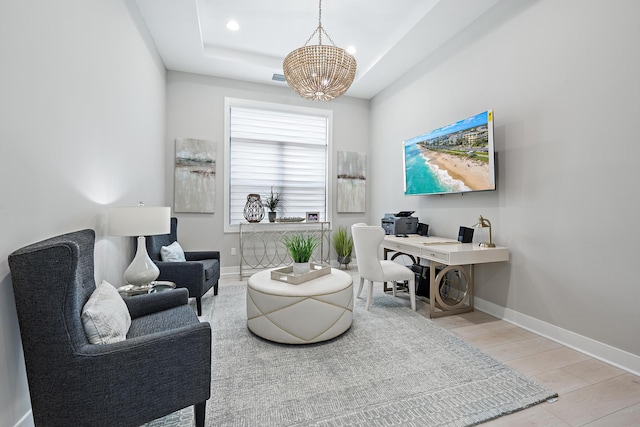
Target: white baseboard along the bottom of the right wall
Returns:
[[604, 352]]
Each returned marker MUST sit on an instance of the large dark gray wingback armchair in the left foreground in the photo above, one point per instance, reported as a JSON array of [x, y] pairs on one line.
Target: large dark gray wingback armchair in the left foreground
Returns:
[[162, 366]]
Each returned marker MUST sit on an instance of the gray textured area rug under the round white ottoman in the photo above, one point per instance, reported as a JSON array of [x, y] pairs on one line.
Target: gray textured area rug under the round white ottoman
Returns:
[[392, 368]]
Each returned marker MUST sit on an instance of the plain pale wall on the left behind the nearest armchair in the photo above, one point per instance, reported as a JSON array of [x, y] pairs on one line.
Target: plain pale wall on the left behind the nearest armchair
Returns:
[[82, 110]]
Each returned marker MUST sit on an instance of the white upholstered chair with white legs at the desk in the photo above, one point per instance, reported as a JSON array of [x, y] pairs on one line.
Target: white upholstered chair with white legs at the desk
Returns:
[[366, 242]]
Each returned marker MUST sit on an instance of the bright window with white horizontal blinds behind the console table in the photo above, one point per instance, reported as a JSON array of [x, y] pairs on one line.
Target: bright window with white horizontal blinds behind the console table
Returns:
[[281, 146]]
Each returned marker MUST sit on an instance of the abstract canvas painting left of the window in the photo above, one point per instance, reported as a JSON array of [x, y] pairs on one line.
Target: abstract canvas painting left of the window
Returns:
[[195, 176]]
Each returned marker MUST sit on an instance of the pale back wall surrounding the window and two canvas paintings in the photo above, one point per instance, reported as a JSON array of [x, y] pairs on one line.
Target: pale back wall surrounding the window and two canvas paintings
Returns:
[[195, 109]]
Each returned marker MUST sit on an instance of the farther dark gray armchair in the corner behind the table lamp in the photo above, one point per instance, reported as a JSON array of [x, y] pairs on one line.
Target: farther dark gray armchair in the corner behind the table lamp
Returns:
[[198, 274]]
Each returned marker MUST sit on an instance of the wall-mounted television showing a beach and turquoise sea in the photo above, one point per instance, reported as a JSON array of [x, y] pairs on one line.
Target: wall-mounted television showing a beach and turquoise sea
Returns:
[[457, 158]]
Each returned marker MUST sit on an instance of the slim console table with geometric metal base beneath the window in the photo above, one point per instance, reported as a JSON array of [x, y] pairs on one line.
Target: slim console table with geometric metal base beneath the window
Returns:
[[261, 243]]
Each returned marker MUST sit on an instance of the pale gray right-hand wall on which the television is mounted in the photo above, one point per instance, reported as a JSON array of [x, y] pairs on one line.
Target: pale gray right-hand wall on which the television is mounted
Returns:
[[562, 78]]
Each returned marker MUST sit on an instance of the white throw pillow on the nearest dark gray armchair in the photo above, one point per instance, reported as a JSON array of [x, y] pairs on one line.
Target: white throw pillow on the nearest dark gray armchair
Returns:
[[105, 316]]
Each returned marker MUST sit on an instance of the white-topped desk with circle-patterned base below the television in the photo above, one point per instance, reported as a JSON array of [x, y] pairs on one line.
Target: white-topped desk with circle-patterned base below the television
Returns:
[[451, 266]]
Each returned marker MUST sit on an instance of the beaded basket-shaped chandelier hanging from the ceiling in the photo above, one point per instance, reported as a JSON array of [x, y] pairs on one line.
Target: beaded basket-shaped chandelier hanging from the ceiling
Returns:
[[319, 72]]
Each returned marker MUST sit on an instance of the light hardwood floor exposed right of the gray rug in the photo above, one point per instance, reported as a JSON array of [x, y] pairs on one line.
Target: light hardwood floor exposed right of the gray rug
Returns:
[[591, 393]]
